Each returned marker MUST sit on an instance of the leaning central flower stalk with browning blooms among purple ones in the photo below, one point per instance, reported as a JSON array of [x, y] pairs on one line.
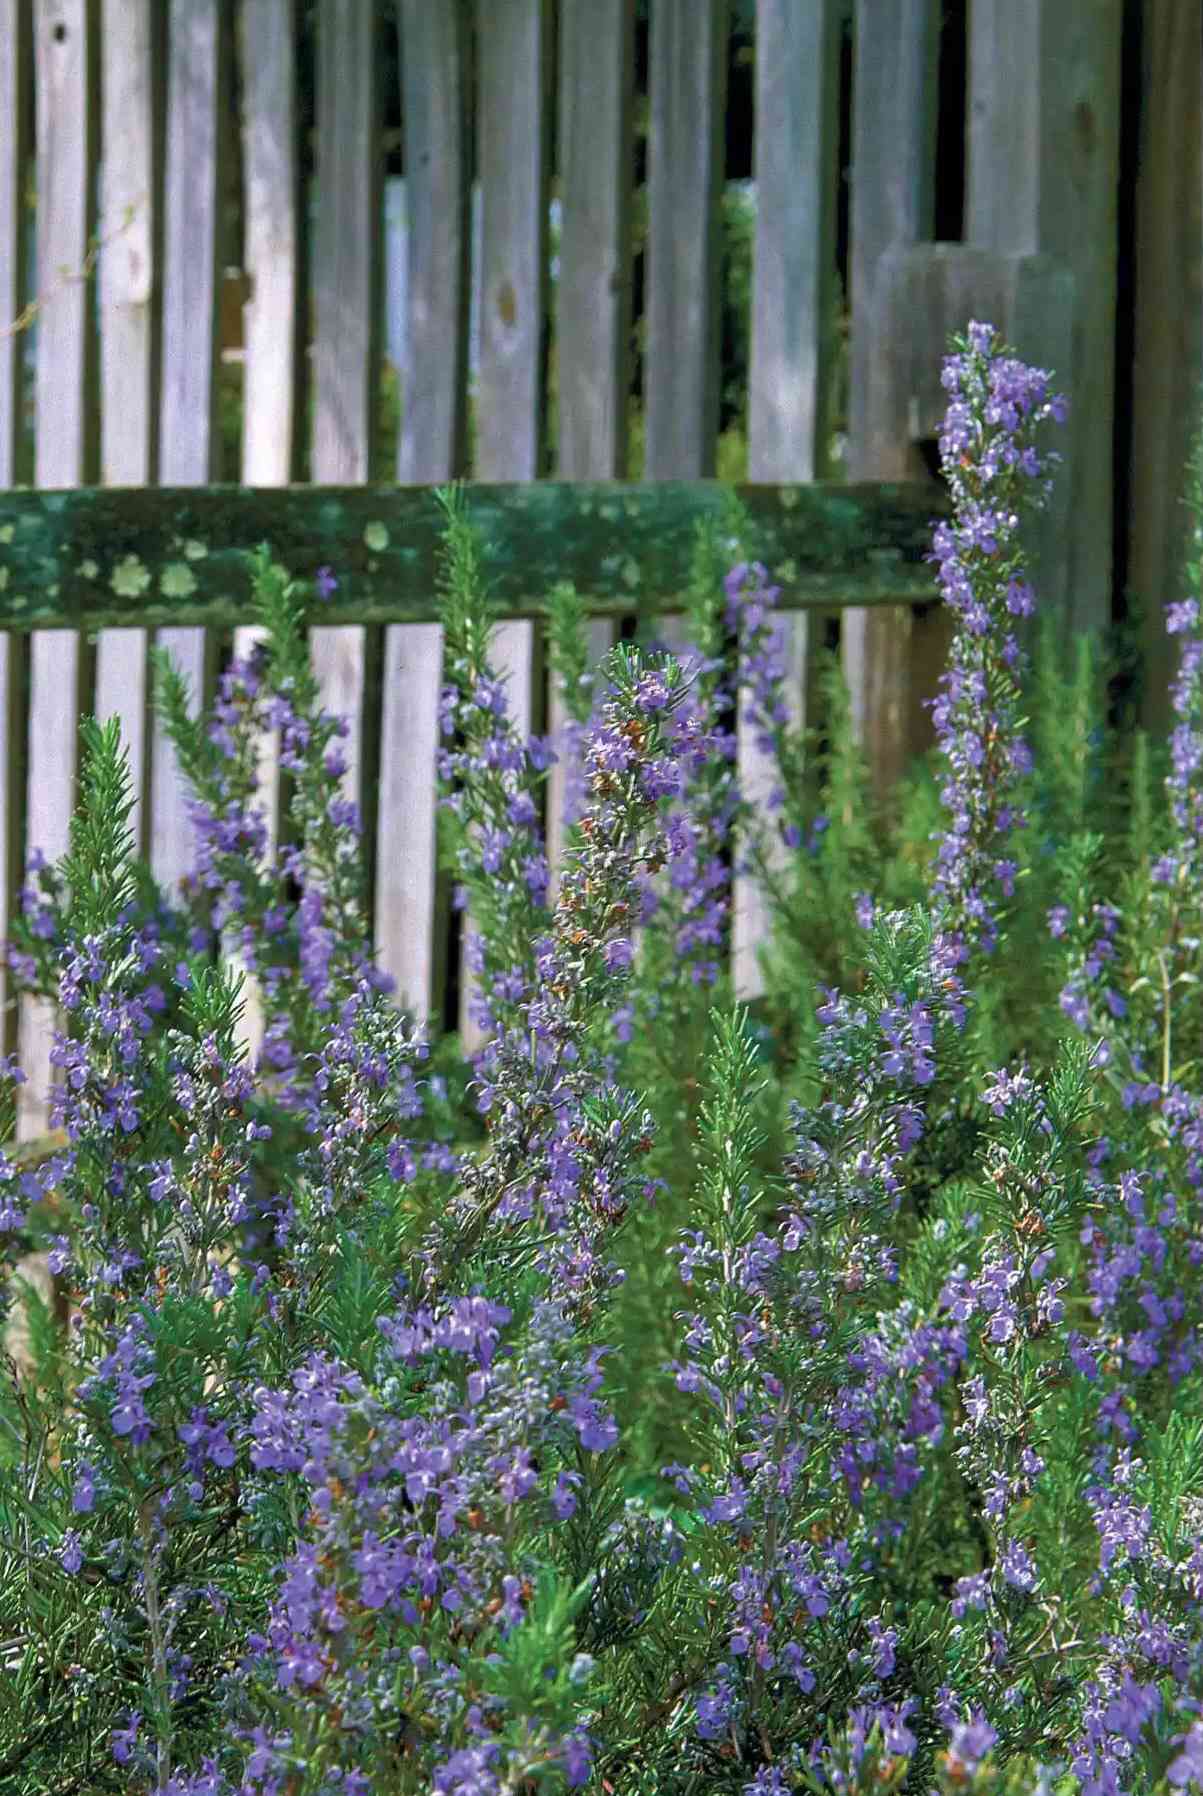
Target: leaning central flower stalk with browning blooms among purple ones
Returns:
[[561, 1136]]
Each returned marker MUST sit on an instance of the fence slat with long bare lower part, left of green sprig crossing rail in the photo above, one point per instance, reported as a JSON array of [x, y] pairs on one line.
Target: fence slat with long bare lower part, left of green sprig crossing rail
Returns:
[[410, 901]]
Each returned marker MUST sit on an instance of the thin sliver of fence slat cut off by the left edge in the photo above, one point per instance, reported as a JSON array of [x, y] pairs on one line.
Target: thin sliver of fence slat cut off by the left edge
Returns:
[[15, 49]]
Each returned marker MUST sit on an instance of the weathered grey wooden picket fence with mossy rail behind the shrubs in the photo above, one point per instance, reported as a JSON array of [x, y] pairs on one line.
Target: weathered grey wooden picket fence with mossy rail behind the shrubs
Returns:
[[148, 141]]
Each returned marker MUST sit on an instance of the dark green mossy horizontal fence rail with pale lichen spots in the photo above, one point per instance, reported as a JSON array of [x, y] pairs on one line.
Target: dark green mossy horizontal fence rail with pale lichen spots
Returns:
[[177, 556]]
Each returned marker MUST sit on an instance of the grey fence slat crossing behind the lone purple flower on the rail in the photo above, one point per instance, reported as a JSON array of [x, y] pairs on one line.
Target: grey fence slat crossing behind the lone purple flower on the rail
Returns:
[[346, 281]]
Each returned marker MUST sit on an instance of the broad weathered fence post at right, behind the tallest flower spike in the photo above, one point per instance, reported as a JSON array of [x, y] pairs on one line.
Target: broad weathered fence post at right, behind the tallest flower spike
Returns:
[[1044, 177]]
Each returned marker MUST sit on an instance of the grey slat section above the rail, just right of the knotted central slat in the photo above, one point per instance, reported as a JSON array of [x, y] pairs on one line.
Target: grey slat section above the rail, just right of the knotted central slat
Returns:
[[593, 294]]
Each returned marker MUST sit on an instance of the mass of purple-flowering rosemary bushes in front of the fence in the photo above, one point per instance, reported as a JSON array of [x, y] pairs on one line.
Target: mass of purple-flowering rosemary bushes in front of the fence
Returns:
[[717, 1407]]
